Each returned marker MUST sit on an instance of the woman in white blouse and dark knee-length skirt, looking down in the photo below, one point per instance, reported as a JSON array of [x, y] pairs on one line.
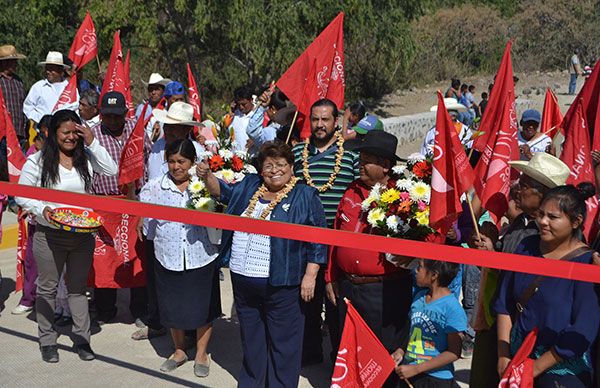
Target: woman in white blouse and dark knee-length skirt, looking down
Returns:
[[187, 282]]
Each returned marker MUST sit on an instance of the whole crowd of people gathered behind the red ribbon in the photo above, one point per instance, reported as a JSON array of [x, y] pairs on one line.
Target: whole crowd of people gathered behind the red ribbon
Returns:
[[283, 288]]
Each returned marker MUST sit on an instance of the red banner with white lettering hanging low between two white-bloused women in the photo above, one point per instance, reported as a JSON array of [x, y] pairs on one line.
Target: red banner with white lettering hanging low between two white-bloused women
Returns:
[[118, 253]]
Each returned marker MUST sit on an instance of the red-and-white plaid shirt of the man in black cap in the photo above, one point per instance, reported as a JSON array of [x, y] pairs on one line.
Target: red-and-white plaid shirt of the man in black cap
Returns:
[[108, 185]]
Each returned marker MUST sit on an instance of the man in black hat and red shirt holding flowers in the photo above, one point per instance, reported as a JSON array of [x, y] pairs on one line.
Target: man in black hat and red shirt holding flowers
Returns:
[[380, 291]]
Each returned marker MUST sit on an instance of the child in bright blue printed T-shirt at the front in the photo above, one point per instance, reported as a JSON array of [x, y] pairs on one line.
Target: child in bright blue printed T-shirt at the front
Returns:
[[437, 320]]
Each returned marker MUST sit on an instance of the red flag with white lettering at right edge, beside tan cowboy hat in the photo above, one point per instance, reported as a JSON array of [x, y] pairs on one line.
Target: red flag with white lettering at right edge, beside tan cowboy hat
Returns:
[[576, 154]]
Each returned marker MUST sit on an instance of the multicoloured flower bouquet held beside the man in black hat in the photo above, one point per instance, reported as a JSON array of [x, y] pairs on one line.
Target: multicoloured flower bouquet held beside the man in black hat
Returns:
[[401, 208]]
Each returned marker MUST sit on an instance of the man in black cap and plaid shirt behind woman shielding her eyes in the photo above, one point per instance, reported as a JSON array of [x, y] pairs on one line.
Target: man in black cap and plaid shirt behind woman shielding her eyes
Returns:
[[112, 132]]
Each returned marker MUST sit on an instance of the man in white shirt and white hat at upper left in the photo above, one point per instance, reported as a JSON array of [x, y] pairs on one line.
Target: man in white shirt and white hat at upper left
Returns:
[[44, 94]]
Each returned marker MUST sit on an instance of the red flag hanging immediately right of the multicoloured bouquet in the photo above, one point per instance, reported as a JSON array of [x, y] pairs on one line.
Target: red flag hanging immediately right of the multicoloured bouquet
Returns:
[[452, 174]]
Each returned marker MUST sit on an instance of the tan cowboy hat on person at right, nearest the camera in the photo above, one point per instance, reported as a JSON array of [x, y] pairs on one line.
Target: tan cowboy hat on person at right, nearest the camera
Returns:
[[544, 168]]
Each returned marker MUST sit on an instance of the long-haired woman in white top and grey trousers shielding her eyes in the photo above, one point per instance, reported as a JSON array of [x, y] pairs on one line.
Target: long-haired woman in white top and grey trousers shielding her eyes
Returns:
[[67, 161]]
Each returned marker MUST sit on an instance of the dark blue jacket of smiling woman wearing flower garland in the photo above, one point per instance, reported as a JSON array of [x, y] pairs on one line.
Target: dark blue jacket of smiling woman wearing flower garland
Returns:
[[288, 257]]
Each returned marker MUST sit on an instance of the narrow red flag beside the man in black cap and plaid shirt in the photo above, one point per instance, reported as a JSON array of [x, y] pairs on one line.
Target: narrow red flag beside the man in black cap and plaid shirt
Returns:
[[131, 166]]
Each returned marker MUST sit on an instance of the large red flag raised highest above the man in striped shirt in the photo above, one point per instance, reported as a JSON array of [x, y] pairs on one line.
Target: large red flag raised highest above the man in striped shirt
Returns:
[[328, 50]]
